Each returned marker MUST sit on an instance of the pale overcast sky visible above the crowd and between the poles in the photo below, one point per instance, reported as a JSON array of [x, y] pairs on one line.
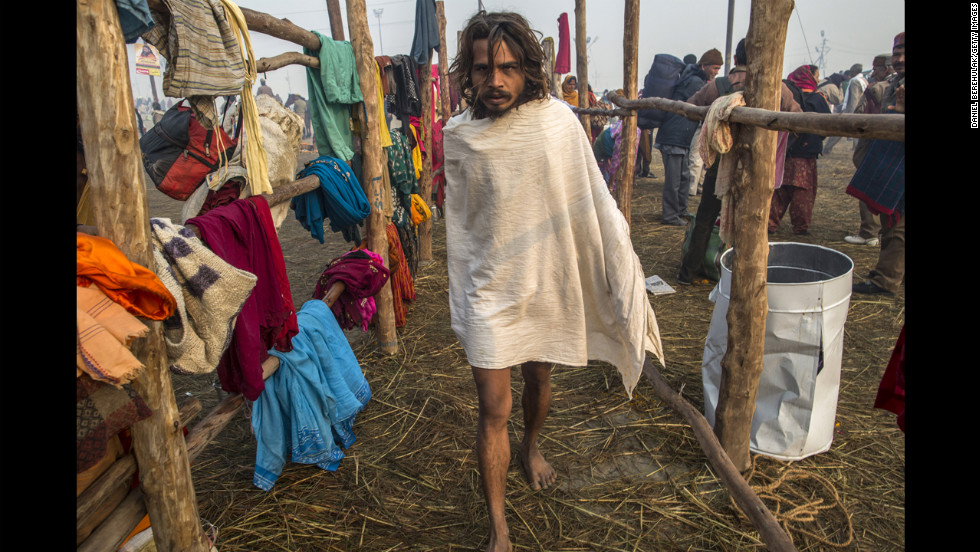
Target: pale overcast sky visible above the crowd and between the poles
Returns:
[[846, 31]]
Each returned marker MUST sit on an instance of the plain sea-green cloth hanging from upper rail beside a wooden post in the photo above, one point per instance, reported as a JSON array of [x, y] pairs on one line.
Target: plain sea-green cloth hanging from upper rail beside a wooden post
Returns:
[[332, 89]]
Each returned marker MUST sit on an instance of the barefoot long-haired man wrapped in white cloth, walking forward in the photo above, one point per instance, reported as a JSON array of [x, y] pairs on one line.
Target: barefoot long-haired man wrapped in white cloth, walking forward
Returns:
[[541, 267]]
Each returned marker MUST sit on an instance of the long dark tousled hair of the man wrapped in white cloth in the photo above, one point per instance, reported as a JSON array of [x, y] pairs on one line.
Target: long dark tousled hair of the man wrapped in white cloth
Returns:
[[514, 30]]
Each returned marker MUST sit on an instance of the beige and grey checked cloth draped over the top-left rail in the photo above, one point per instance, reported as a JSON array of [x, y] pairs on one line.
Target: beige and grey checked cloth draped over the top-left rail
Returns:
[[202, 52]]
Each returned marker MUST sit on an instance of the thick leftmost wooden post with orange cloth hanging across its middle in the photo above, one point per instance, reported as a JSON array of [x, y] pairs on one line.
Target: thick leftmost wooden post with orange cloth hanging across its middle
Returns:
[[119, 205]]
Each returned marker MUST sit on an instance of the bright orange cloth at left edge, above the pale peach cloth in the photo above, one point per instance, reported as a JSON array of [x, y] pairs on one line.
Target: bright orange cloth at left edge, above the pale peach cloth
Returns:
[[136, 288]]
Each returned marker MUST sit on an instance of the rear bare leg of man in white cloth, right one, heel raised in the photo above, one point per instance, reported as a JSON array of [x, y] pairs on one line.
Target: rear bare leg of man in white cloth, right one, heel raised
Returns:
[[536, 401]]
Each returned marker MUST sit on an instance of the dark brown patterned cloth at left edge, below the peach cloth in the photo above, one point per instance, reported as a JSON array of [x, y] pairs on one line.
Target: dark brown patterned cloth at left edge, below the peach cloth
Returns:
[[101, 412]]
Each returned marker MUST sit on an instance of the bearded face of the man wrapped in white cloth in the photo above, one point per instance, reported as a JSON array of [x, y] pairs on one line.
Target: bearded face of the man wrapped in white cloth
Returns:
[[497, 87]]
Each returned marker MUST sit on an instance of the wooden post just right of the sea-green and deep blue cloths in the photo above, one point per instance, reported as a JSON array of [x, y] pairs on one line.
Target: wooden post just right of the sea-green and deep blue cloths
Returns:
[[360, 38]]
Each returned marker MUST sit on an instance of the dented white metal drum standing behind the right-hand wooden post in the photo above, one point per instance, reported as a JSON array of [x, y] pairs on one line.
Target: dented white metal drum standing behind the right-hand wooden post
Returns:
[[808, 288]]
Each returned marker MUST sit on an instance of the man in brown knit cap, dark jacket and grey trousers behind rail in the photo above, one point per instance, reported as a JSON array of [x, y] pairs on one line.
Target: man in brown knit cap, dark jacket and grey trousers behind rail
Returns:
[[674, 138]]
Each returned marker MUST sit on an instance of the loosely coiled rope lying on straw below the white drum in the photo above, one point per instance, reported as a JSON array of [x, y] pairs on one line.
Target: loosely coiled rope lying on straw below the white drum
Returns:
[[799, 509]]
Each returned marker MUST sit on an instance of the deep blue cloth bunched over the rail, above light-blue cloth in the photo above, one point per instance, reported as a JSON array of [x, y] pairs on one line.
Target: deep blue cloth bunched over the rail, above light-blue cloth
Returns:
[[339, 198]]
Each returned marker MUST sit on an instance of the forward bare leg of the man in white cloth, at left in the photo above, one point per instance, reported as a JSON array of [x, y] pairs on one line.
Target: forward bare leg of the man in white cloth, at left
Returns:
[[493, 449]]
